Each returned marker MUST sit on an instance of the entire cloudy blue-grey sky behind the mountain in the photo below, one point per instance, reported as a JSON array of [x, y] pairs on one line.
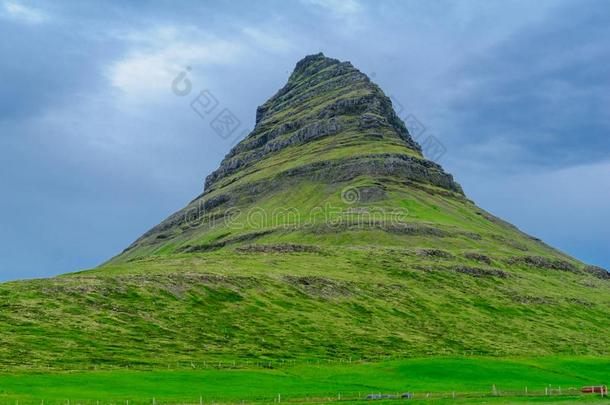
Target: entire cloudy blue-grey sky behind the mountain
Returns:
[[95, 147]]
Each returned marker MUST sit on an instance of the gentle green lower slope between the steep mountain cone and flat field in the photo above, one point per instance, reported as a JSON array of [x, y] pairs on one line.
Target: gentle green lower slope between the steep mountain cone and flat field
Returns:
[[340, 302]]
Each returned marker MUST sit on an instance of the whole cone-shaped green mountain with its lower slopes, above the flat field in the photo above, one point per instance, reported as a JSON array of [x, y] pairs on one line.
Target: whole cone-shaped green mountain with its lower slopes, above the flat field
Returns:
[[325, 233]]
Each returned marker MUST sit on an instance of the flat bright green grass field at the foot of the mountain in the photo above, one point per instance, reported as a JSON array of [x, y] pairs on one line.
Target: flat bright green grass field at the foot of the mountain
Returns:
[[472, 380]]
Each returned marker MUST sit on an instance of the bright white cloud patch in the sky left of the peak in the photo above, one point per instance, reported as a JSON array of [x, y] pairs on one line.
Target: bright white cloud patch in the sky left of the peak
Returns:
[[158, 56]]
